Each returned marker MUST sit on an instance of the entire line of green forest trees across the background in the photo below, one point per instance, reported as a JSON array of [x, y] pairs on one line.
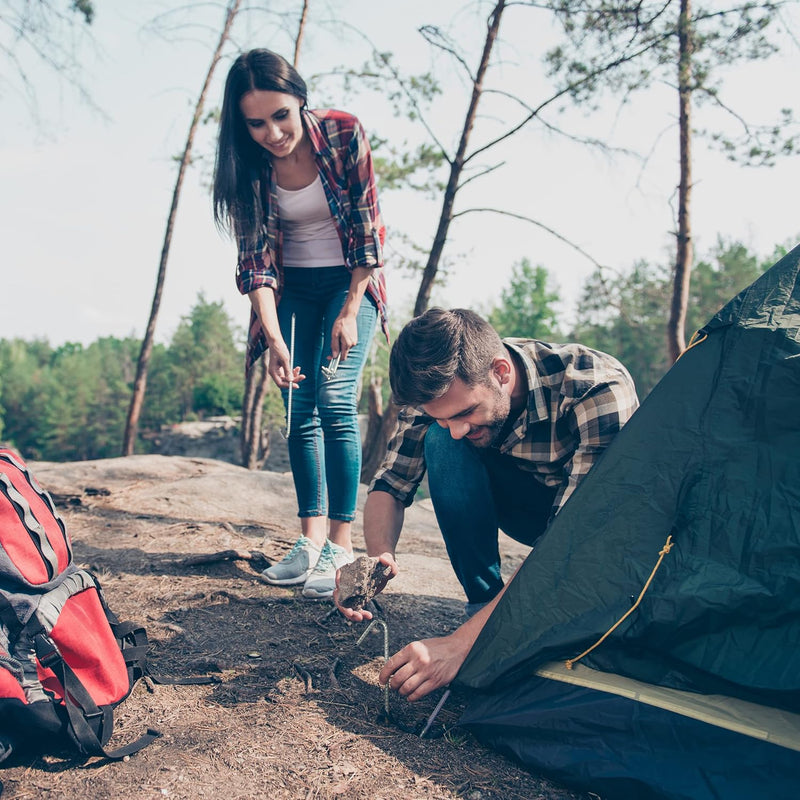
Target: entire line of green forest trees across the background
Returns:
[[70, 402]]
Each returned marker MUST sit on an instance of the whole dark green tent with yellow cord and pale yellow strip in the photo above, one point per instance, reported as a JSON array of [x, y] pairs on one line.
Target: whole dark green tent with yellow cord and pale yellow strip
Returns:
[[680, 554]]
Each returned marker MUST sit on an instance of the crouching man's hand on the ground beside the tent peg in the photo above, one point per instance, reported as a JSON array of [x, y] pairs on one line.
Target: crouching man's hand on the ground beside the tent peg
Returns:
[[421, 667]]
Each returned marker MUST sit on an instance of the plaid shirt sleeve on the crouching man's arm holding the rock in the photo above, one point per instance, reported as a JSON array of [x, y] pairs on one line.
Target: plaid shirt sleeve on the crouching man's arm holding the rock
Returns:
[[404, 465]]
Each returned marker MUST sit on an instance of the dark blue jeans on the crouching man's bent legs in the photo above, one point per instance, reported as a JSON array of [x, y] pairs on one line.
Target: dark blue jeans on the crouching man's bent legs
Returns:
[[475, 492]]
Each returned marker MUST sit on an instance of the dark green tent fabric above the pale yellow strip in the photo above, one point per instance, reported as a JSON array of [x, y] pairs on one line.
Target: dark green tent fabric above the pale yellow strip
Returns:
[[712, 459]]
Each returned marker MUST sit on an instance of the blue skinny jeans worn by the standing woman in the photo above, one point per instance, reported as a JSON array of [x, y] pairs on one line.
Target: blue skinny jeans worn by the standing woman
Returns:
[[324, 439]]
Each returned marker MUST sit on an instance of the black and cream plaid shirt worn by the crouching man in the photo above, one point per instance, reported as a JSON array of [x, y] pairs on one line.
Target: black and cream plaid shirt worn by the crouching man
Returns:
[[578, 399]]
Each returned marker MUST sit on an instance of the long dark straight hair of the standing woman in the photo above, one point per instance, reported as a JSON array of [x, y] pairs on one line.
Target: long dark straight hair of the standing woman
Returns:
[[237, 192]]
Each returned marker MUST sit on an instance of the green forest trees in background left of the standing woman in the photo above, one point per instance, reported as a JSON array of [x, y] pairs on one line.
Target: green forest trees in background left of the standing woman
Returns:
[[70, 403]]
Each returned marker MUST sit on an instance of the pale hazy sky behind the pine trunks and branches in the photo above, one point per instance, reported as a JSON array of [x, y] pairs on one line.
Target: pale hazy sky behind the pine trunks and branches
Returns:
[[86, 187]]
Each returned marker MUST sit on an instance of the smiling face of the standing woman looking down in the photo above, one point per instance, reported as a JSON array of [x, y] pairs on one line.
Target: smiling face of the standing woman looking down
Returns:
[[273, 120]]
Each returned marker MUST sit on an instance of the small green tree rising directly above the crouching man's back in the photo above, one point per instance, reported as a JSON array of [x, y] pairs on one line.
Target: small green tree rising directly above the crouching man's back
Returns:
[[527, 305]]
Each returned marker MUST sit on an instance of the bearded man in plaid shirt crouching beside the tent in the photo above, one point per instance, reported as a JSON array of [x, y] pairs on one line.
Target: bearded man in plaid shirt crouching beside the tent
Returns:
[[506, 430]]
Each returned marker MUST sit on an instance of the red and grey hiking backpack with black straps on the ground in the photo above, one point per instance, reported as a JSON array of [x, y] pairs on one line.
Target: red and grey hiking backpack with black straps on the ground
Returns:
[[65, 659]]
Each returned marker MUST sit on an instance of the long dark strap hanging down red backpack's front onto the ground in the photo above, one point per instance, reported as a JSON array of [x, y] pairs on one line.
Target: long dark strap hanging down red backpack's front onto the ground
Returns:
[[90, 724]]
